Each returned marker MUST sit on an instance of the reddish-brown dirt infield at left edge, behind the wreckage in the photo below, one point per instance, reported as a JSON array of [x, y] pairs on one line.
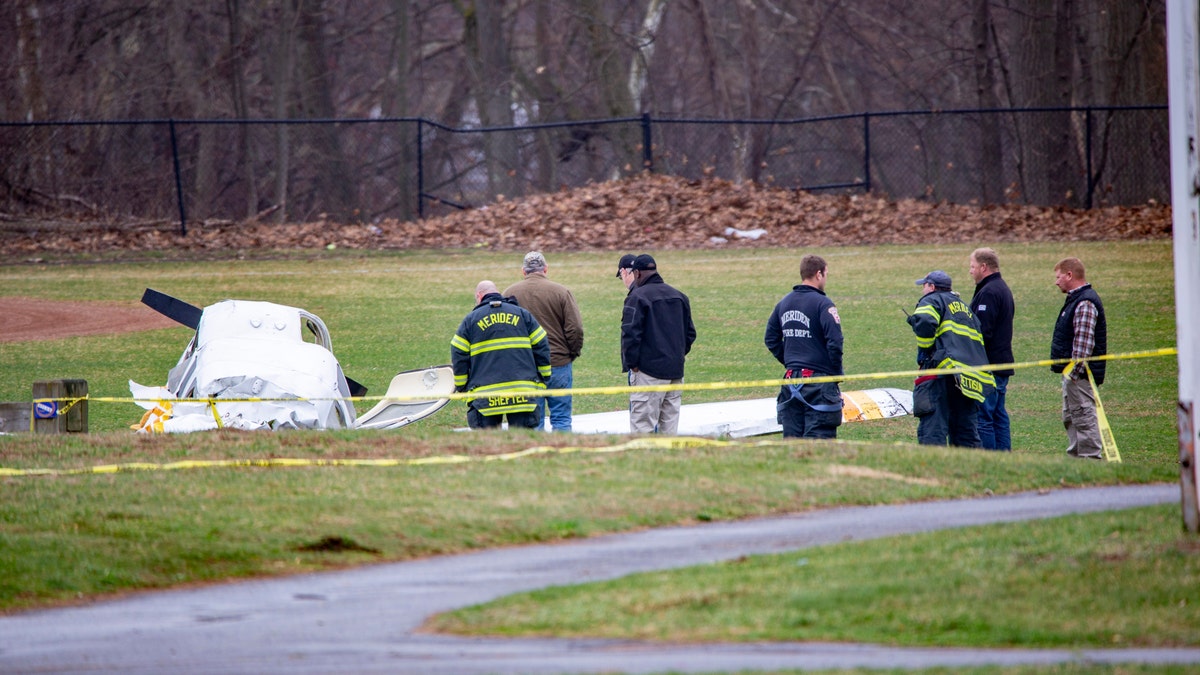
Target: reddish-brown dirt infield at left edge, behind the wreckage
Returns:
[[32, 320]]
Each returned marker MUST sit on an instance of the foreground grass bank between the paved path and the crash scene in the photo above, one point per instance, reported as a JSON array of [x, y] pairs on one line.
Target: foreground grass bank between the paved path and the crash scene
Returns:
[[80, 536]]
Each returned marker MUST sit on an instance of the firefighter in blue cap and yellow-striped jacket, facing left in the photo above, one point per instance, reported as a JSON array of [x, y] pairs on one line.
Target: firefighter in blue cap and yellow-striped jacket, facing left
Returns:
[[949, 337]]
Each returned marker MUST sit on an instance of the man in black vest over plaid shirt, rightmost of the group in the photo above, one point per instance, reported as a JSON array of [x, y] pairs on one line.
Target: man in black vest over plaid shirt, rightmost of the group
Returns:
[[1079, 333]]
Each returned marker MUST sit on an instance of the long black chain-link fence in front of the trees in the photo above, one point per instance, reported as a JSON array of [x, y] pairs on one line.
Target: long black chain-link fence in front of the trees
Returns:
[[364, 170]]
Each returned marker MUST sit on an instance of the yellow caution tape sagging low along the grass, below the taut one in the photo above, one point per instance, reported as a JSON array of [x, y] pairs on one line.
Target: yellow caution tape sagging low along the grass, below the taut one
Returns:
[[673, 443]]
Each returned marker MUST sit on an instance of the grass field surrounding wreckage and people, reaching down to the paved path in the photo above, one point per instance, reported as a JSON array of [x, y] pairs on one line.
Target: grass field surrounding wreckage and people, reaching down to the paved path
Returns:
[[67, 539]]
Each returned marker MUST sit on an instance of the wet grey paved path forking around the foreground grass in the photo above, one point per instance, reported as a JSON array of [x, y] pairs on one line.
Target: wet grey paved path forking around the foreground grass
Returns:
[[365, 620]]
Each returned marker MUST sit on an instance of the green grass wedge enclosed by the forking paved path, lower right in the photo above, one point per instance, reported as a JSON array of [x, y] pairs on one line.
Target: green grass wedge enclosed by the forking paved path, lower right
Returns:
[[1101, 581]]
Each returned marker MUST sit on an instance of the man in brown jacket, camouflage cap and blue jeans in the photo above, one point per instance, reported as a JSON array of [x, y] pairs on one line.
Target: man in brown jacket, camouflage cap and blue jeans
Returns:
[[556, 310]]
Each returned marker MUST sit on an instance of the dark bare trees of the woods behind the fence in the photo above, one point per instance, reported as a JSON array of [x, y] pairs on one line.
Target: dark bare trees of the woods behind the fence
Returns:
[[471, 64]]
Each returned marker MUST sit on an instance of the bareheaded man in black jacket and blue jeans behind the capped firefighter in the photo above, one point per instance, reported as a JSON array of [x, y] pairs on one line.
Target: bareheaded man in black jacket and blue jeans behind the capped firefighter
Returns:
[[994, 307]]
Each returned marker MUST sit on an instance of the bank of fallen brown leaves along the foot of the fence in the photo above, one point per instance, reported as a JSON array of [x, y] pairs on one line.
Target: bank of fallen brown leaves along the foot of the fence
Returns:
[[645, 213]]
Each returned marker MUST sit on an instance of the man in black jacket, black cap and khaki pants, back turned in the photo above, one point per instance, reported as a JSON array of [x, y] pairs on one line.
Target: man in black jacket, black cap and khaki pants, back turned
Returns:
[[656, 336]]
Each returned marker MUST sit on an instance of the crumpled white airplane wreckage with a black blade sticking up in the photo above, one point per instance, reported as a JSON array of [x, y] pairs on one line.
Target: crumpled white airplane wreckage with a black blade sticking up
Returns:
[[277, 367]]
